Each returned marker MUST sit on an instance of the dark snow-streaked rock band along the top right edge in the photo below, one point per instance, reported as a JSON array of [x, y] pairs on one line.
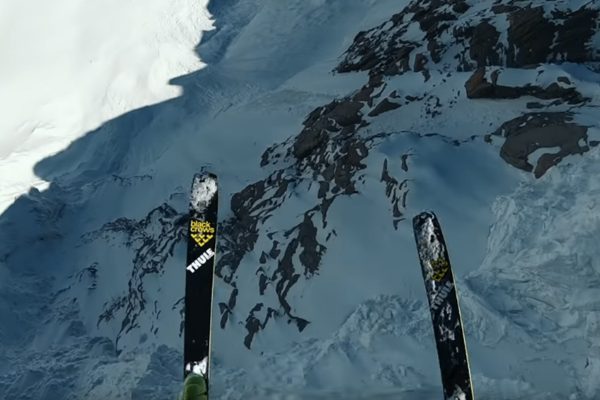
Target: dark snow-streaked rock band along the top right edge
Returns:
[[532, 38]]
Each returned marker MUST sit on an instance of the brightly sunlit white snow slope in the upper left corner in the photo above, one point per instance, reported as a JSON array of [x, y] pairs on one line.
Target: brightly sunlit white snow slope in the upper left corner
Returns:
[[68, 66]]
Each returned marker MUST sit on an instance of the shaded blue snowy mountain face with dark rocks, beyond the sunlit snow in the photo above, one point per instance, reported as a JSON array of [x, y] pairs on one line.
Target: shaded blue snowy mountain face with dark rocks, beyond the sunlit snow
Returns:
[[330, 124]]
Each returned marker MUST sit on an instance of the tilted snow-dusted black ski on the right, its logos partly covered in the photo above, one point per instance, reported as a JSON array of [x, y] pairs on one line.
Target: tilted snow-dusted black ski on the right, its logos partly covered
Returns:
[[443, 304]]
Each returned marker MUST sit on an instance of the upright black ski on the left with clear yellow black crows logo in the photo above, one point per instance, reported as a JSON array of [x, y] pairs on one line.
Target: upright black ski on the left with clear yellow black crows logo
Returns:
[[201, 254]]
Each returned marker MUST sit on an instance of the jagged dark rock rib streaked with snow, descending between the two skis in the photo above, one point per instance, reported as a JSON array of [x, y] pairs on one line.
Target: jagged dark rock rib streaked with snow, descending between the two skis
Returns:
[[333, 164]]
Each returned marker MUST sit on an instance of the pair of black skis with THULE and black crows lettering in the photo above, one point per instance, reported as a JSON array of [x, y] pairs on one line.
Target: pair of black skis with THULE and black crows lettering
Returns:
[[435, 264]]
